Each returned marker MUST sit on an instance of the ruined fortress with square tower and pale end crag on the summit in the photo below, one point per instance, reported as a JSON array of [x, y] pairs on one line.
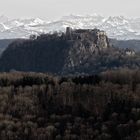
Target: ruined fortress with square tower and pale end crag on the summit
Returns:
[[95, 36]]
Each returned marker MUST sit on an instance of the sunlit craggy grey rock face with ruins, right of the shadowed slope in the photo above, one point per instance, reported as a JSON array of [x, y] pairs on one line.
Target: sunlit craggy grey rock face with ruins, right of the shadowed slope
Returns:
[[86, 44]]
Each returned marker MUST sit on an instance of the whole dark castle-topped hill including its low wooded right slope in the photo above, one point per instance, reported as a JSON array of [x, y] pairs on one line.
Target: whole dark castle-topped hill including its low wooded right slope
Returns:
[[73, 52]]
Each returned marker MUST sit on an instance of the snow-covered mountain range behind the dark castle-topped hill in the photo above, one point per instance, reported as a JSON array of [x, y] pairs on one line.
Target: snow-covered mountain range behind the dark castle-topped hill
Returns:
[[117, 27]]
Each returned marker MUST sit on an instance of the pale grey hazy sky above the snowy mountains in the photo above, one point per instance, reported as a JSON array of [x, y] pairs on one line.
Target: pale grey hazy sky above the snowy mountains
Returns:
[[53, 9]]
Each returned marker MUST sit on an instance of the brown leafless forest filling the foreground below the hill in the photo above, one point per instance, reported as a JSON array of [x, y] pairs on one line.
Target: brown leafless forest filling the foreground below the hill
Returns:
[[37, 106]]
